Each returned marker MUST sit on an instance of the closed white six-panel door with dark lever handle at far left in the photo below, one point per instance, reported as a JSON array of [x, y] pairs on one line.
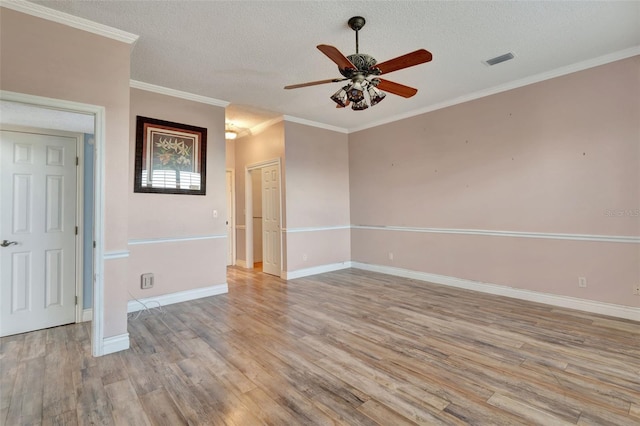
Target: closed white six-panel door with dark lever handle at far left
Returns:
[[37, 231]]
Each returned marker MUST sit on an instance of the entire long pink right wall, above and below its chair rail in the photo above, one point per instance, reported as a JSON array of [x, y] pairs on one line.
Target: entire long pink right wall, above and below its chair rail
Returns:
[[553, 157]]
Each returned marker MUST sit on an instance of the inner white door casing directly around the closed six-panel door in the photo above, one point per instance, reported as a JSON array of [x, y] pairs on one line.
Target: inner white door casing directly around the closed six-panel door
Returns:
[[79, 220]]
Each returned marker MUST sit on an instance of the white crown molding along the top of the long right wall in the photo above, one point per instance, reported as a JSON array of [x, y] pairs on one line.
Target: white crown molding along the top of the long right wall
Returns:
[[558, 72]]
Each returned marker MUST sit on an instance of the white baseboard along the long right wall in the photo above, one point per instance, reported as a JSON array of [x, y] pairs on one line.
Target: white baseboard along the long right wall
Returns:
[[602, 308]]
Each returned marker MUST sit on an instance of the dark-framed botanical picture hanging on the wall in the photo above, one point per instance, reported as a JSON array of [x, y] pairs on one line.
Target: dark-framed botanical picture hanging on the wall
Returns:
[[170, 157]]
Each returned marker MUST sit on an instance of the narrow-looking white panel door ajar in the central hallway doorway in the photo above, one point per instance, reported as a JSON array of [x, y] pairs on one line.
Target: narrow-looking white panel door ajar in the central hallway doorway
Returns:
[[271, 220]]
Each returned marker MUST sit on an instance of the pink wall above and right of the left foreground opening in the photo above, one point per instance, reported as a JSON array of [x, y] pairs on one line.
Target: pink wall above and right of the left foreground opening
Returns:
[[47, 59]]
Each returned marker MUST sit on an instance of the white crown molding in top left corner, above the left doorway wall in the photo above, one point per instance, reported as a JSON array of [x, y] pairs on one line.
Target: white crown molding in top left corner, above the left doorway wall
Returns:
[[69, 20]]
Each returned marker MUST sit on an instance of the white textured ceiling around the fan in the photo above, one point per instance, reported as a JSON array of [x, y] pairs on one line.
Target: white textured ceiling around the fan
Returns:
[[245, 52]]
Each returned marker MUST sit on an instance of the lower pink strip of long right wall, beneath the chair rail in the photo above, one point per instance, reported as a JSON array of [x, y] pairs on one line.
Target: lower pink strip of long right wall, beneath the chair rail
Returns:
[[544, 265]]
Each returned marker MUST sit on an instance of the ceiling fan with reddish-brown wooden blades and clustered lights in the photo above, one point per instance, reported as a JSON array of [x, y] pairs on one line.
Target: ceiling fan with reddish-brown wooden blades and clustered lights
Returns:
[[363, 70]]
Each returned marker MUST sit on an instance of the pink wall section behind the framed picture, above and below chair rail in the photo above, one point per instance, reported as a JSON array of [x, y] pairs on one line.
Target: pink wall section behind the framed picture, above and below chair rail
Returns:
[[178, 265]]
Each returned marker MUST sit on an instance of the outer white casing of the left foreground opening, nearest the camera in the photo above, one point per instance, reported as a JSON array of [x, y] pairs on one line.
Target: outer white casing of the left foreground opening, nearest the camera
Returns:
[[98, 112]]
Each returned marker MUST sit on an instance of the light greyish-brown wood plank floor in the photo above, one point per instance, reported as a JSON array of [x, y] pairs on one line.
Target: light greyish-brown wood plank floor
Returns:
[[348, 347]]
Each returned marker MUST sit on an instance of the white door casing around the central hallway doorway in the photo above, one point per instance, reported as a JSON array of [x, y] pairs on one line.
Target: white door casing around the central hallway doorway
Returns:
[[248, 211]]
